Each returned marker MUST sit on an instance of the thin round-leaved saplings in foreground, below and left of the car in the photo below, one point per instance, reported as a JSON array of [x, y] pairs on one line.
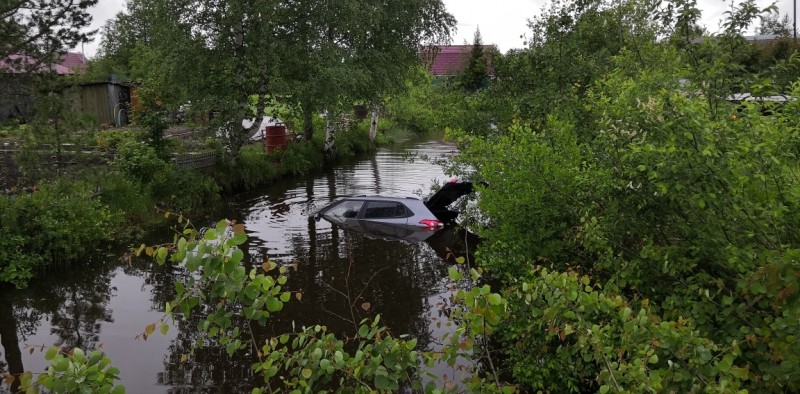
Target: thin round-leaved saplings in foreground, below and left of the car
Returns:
[[311, 359]]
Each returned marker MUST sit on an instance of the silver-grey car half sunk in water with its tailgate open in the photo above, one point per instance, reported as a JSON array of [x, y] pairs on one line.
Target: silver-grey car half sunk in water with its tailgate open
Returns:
[[398, 215]]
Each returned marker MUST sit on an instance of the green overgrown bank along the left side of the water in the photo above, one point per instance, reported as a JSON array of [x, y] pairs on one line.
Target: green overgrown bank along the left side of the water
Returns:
[[60, 210]]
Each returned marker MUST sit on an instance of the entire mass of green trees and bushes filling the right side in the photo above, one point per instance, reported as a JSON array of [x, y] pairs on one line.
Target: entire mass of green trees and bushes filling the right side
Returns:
[[643, 228]]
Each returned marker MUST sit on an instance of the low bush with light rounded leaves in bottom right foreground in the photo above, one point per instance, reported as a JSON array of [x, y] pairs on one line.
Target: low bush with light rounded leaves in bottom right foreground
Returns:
[[579, 336]]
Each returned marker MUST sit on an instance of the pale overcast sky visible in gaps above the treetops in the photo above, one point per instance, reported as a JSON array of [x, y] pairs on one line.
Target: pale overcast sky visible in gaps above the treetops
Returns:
[[501, 22]]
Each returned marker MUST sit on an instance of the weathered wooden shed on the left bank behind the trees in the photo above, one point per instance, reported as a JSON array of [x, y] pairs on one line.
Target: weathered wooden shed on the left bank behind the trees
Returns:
[[107, 102]]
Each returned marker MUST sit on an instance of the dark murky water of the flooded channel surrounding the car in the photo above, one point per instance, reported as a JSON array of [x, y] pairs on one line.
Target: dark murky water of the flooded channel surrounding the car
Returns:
[[105, 303]]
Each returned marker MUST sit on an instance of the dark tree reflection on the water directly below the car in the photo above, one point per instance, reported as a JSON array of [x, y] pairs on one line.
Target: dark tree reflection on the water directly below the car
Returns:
[[394, 277]]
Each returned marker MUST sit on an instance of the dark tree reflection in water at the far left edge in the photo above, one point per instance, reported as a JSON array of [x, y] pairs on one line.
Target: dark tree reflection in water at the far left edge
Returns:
[[74, 300]]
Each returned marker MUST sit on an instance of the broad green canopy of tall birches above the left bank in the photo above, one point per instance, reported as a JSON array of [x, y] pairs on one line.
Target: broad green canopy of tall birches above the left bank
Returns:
[[317, 54]]
